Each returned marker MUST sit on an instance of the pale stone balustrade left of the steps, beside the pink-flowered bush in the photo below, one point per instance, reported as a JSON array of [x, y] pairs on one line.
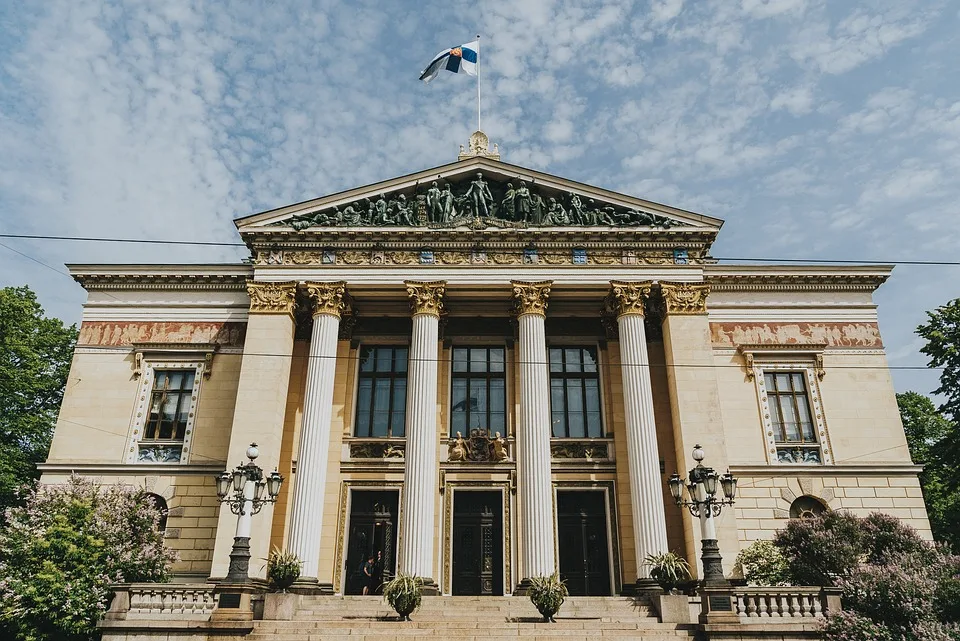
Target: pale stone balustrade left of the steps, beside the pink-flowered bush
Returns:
[[161, 600]]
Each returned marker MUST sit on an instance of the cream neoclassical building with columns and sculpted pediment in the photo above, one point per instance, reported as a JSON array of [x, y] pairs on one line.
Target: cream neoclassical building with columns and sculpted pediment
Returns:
[[483, 373]]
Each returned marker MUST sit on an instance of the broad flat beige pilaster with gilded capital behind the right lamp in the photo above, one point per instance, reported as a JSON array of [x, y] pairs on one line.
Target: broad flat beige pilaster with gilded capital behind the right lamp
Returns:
[[695, 401]]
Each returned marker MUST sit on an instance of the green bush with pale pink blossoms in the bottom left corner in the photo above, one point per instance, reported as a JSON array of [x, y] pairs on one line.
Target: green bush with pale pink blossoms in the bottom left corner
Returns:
[[60, 553]]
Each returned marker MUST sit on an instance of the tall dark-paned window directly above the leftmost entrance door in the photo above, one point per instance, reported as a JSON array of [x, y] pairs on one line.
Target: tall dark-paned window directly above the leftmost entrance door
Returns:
[[381, 392]]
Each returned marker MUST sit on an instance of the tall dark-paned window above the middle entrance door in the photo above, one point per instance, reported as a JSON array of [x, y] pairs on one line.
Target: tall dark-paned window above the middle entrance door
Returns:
[[478, 390]]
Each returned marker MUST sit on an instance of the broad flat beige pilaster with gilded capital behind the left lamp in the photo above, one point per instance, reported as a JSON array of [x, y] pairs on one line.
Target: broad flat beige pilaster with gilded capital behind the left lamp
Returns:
[[260, 409]]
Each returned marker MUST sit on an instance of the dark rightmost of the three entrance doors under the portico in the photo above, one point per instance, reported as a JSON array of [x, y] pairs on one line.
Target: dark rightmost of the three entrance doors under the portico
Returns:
[[582, 537]]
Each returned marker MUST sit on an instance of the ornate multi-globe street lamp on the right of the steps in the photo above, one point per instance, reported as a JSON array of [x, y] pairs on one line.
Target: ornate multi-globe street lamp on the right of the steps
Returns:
[[703, 502]]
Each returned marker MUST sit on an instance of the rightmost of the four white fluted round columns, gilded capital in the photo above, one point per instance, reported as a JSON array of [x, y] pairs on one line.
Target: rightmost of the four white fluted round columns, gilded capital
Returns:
[[643, 458]]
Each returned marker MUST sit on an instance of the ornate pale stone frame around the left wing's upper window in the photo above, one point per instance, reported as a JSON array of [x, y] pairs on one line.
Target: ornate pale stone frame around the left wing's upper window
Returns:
[[136, 439]]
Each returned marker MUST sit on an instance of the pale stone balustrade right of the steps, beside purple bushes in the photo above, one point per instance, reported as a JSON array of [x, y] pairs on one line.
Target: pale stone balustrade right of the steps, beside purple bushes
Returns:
[[754, 603]]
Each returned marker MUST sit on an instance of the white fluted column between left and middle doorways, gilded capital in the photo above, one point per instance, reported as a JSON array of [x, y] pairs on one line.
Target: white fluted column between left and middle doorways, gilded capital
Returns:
[[417, 536]]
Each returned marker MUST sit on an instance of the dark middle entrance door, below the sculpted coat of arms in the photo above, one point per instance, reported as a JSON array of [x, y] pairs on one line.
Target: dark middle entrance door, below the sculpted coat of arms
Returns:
[[477, 543]]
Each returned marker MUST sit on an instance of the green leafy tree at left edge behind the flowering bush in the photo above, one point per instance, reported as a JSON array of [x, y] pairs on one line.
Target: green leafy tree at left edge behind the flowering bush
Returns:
[[35, 354]]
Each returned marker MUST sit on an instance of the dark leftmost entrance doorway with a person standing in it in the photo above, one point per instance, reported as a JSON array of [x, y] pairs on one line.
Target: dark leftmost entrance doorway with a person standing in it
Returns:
[[372, 530]]
